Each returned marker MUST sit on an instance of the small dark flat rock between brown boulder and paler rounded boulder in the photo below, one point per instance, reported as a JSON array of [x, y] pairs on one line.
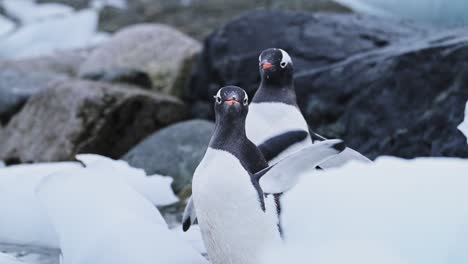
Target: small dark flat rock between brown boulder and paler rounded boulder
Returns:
[[123, 75]]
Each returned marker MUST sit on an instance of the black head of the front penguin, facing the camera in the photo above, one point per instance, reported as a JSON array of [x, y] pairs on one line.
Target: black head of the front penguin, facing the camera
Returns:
[[231, 102]]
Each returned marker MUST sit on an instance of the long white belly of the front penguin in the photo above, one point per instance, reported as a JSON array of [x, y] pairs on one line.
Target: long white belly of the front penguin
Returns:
[[234, 227]]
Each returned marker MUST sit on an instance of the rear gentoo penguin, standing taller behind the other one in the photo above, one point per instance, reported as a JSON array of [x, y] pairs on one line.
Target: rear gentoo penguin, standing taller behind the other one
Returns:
[[274, 109]]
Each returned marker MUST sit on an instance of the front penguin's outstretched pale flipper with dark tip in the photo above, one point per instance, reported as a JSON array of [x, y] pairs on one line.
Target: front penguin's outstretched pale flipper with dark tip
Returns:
[[283, 175]]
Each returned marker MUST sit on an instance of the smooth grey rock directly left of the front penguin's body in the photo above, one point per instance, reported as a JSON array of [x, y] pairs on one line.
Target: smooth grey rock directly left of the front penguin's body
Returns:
[[175, 151]]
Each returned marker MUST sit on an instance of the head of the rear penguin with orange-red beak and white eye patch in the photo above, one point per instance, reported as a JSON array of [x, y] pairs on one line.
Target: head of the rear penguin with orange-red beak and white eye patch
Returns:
[[275, 65]]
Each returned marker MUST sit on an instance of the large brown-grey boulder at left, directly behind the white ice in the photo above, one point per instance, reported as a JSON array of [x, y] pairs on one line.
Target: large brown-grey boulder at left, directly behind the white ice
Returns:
[[73, 117]]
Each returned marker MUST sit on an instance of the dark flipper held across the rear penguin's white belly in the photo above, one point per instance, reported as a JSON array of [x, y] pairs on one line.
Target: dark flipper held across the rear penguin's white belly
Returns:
[[272, 147]]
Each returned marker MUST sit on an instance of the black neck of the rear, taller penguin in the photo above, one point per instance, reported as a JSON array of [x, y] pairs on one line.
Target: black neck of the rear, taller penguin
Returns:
[[273, 91]]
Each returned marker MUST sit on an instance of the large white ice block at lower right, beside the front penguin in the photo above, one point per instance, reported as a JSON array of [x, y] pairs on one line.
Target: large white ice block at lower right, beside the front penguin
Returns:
[[393, 211]]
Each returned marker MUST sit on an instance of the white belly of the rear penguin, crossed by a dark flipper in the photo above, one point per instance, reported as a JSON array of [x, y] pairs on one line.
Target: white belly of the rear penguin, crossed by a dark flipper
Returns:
[[267, 120]]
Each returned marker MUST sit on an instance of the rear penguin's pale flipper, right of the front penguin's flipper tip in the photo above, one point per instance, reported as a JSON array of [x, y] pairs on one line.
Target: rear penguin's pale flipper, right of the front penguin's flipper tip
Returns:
[[347, 155]]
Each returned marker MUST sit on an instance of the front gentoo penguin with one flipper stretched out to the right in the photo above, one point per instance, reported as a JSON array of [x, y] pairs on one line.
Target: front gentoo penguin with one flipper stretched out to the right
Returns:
[[234, 222]]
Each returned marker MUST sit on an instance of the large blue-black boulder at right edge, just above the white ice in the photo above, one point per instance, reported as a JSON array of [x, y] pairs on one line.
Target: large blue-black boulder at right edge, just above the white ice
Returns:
[[405, 100]]
